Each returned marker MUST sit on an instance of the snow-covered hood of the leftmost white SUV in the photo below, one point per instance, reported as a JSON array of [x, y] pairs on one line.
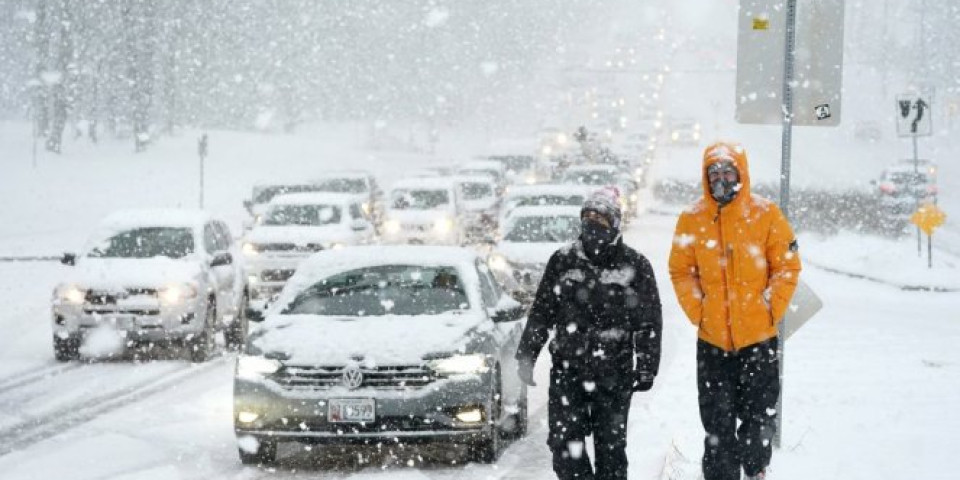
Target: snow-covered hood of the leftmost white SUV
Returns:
[[121, 273]]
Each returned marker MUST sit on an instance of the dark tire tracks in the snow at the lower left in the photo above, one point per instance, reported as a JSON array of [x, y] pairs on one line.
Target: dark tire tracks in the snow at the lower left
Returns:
[[40, 427]]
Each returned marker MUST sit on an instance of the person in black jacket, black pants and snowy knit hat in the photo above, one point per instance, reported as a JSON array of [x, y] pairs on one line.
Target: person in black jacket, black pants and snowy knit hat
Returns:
[[600, 299]]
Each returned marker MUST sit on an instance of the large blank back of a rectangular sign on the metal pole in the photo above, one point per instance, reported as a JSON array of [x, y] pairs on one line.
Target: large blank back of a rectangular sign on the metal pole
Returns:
[[818, 73]]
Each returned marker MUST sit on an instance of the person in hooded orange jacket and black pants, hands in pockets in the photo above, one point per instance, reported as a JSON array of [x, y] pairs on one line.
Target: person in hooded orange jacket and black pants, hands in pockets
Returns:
[[734, 266]]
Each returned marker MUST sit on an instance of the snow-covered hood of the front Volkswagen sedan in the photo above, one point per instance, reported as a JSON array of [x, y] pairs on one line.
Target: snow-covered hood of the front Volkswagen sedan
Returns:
[[382, 340]]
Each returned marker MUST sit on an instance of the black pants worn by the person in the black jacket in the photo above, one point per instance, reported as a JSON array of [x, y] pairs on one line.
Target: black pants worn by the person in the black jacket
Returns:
[[580, 406]]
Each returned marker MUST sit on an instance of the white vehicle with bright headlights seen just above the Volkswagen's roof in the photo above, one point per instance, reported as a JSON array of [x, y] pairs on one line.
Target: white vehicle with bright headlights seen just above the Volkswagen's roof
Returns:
[[423, 211]]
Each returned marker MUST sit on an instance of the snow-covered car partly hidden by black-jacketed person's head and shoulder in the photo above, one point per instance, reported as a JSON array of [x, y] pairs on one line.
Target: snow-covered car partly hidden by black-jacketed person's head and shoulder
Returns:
[[530, 236]]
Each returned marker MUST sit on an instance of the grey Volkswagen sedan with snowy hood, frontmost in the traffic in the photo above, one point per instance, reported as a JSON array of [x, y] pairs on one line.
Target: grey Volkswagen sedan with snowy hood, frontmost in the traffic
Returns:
[[383, 346]]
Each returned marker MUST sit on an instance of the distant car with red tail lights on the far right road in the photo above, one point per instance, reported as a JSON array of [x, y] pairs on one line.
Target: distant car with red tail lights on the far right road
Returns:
[[903, 186]]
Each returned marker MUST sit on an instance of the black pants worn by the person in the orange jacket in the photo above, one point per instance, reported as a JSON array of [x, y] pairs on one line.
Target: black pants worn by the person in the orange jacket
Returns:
[[742, 385]]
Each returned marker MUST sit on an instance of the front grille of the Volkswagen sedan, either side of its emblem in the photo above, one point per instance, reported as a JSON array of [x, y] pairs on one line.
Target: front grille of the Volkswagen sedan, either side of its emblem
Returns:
[[298, 377]]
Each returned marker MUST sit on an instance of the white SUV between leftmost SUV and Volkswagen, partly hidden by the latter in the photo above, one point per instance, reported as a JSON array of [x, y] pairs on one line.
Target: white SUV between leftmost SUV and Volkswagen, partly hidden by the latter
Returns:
[[295, 226]]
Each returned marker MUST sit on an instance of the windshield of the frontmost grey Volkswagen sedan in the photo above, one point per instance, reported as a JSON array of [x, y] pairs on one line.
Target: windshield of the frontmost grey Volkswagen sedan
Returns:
[[383, 290]]
